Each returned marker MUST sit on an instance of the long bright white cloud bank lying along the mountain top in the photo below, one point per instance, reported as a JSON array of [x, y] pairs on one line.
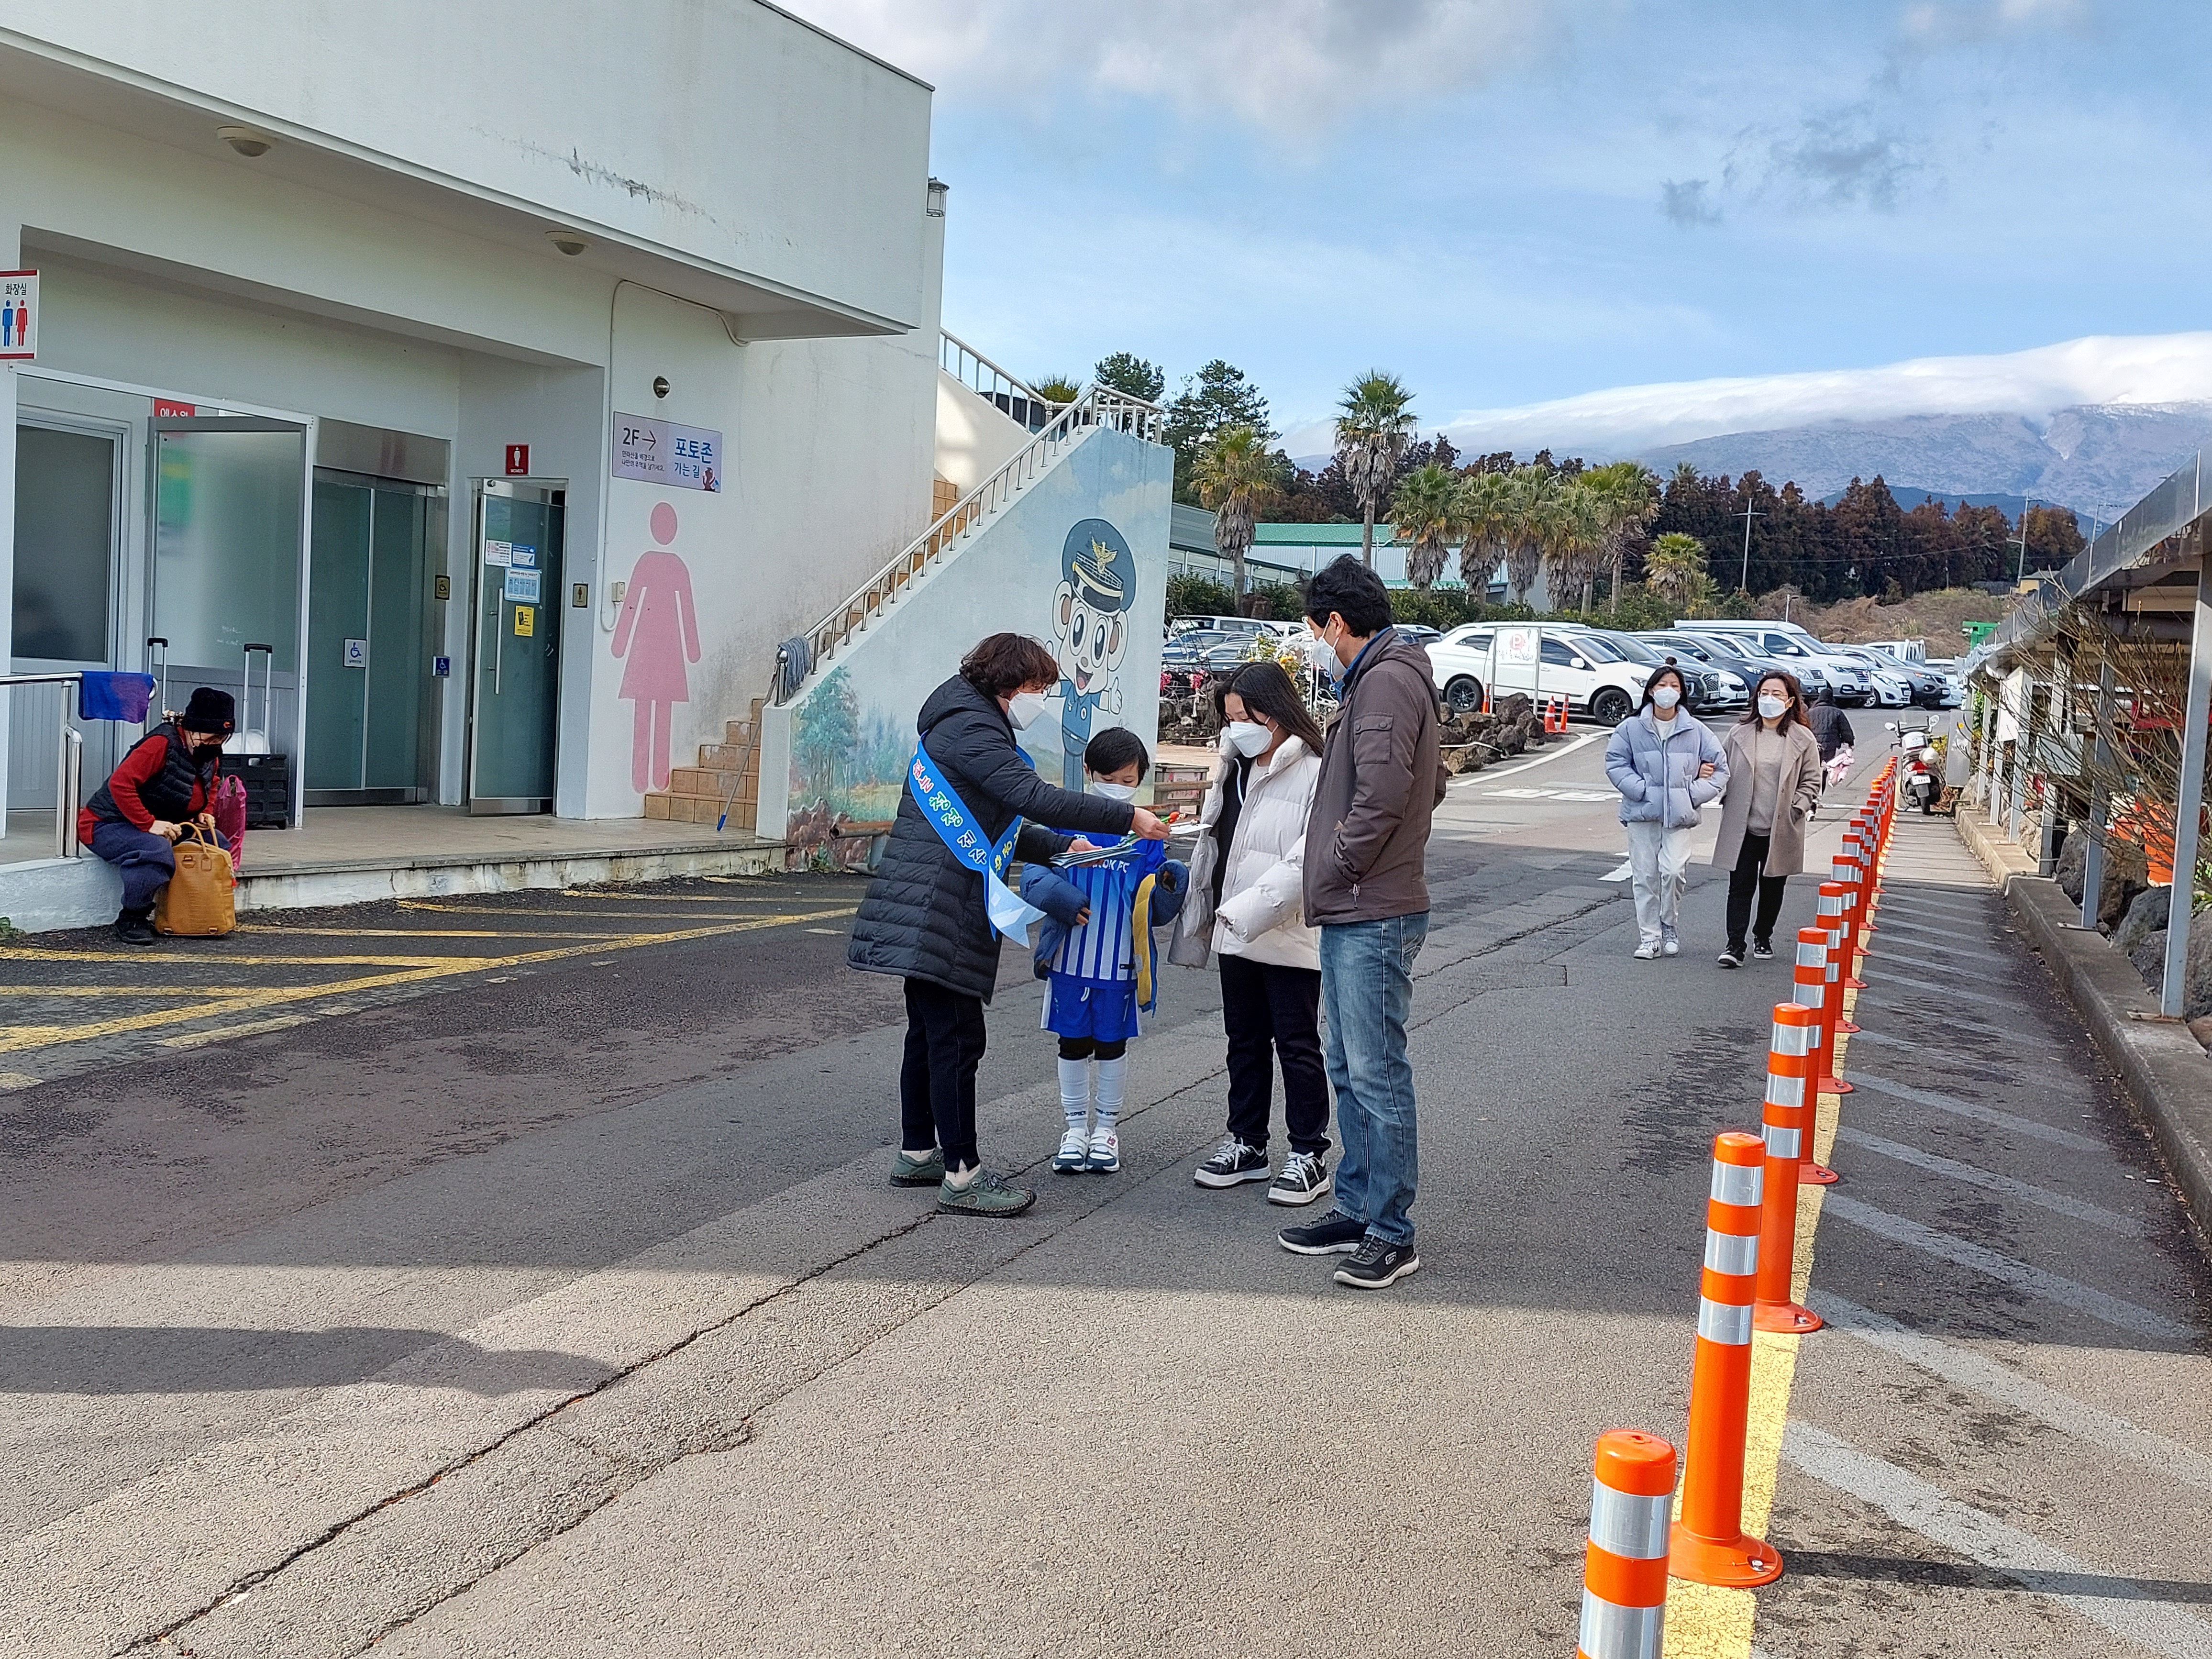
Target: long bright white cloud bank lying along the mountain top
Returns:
[[2098, 371]]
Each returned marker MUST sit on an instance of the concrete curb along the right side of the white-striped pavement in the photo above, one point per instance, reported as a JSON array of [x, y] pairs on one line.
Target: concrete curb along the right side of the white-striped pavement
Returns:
[[2169, 1074]]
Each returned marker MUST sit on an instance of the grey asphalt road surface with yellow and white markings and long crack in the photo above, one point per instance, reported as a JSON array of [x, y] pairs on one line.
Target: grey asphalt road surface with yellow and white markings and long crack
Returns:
[[552, 1302]]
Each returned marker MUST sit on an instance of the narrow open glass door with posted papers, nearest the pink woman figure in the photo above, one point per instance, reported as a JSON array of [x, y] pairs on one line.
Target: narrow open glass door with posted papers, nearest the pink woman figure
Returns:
[[517, 671]]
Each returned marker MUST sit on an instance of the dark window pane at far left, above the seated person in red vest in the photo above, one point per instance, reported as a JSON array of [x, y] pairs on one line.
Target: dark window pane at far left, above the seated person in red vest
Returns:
[[65, 543]]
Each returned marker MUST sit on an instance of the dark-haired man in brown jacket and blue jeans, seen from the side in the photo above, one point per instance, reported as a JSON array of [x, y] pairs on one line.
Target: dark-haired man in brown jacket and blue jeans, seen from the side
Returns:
[[1366, 888]]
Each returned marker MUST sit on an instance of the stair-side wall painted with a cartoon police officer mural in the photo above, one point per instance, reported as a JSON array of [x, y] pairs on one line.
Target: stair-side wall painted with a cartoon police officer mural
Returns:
[[1081, 561]]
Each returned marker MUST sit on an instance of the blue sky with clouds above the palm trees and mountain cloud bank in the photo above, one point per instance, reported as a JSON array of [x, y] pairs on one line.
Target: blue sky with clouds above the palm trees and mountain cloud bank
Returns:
[[1523, 200]]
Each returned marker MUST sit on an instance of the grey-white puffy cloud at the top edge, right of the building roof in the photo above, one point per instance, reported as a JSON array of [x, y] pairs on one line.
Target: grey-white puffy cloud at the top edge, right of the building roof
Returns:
[[1282, 67]]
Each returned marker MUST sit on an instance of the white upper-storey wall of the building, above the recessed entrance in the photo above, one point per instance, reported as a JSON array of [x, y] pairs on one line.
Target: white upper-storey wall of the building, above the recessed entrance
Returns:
[[731, 134]]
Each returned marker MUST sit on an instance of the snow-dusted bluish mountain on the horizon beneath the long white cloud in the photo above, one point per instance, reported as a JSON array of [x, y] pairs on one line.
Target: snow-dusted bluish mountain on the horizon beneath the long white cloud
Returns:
[[2096, 459]]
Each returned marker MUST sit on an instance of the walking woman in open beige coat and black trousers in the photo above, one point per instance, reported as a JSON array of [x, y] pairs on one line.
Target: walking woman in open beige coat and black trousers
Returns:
[[1773, 789]]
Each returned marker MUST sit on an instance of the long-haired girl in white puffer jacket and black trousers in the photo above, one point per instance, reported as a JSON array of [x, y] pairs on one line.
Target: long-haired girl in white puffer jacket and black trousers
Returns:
[[1249, 908]]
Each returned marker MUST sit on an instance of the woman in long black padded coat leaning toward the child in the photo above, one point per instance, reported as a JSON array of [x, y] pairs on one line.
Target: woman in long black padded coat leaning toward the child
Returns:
[[926, 915]]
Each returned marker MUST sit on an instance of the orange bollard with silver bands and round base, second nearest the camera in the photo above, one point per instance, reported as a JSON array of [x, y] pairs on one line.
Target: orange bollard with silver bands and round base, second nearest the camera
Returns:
[[1709, 1543]]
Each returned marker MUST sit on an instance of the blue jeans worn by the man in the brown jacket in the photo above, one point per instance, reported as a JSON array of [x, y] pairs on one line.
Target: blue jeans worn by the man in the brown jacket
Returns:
[[1366, 994]]
